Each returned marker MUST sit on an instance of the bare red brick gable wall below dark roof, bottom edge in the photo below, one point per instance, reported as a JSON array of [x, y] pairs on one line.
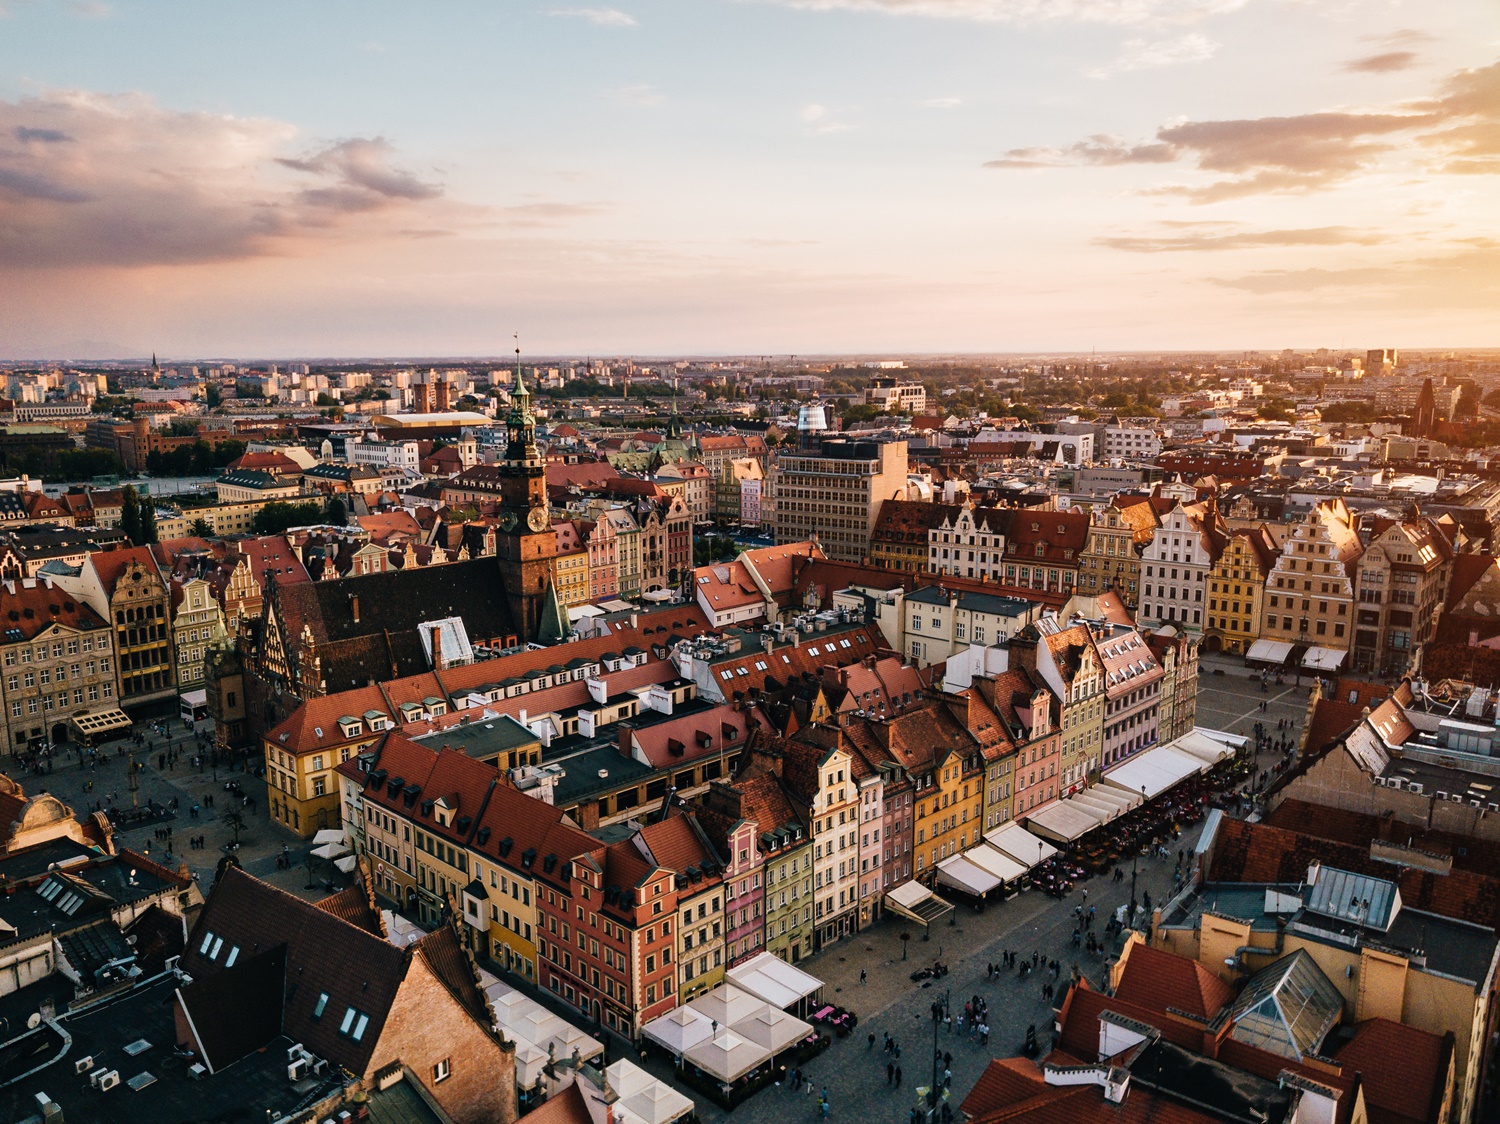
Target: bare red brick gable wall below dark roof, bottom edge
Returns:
[[428, 1026]]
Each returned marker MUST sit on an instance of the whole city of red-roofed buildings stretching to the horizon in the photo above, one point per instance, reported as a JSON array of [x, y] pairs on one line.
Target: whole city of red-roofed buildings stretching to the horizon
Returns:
[[623, 690]]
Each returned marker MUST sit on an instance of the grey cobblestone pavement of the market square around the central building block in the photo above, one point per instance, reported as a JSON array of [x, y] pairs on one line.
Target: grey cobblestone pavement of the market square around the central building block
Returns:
[[890, 1002]]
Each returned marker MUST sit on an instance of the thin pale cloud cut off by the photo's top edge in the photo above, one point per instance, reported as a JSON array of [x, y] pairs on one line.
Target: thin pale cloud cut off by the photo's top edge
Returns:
[[1034, 11]]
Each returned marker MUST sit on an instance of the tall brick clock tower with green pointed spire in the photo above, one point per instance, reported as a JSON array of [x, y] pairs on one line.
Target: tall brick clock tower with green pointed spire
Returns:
[[526, 542]]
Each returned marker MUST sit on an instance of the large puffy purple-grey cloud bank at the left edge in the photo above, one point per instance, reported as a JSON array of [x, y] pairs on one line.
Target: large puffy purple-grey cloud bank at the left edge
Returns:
[[118, 181]]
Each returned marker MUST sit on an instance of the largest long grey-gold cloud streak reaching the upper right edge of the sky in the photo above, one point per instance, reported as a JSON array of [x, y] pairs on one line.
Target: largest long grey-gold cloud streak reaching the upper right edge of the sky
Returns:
[[1456, 131]]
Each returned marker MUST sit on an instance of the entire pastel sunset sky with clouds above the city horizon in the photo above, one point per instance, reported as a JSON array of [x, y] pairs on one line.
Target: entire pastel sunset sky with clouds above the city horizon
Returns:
[[779, 178]]
